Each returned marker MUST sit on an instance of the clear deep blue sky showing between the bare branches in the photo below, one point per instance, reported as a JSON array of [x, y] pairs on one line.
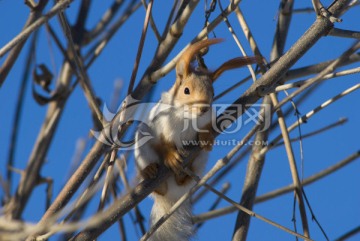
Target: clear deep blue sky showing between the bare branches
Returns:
[[334, 199]]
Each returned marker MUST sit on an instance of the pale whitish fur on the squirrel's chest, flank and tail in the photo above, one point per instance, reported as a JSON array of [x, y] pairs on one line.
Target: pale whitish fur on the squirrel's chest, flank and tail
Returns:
[[168, 119]]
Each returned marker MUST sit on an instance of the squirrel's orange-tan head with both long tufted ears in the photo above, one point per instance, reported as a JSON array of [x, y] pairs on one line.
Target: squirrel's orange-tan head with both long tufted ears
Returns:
[[193, 88]]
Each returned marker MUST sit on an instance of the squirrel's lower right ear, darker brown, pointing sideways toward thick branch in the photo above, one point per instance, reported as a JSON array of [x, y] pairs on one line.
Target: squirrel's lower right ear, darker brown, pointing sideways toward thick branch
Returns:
[[233, 64]]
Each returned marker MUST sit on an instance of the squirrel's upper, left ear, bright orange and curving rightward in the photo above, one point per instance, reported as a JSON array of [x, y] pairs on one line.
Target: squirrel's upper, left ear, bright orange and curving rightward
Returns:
[[183, 65]]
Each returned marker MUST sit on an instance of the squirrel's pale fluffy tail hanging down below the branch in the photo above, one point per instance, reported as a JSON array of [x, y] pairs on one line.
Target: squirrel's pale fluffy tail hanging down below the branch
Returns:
[[177, 227]]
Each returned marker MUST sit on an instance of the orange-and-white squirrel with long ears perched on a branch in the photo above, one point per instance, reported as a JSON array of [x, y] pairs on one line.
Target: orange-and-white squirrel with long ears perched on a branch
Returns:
[[183, 115]]
